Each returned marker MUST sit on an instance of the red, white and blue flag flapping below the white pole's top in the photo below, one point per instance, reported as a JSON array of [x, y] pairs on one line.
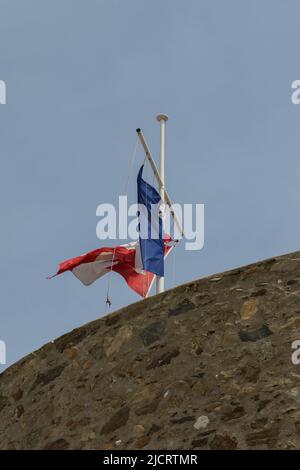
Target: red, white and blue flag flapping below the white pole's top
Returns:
[[137, 262]]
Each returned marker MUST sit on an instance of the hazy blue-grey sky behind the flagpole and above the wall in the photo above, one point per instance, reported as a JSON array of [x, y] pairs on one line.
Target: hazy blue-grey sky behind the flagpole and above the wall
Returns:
[[81, 76]]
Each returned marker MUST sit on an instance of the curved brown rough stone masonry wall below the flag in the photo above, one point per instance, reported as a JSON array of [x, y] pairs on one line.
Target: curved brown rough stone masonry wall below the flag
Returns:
[[204, 366]]
